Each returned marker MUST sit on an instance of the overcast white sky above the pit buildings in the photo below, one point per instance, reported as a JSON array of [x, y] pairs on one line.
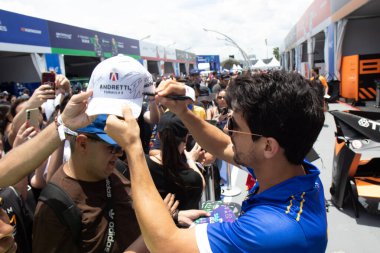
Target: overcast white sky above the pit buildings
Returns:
[[178, 23]]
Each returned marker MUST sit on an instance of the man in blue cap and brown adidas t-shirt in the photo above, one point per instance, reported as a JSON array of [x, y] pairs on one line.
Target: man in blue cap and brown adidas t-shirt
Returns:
[[87, 178]]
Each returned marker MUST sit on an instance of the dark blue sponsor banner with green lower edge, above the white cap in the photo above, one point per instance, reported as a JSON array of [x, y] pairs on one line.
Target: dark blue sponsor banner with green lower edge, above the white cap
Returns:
[[80, 41]]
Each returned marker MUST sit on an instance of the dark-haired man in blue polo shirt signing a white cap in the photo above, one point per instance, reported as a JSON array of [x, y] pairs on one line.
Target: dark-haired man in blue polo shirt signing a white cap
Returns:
[[275, 121]]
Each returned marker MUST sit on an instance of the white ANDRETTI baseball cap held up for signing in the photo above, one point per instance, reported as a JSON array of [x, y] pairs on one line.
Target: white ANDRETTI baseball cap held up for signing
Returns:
[[116, 82]]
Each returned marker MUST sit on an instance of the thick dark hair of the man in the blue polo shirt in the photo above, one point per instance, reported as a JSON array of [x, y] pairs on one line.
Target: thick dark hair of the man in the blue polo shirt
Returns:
[[282, 105]]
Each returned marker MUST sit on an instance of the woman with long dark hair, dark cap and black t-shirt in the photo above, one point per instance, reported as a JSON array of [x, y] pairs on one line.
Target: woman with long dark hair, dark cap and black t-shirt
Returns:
[[174, 170]]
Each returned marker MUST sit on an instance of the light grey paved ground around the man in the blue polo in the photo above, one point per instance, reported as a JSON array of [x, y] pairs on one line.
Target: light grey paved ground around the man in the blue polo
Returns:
[[346, 233]]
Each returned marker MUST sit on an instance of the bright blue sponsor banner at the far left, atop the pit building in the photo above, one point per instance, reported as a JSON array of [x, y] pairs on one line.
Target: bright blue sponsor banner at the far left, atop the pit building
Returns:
[[21, 29]]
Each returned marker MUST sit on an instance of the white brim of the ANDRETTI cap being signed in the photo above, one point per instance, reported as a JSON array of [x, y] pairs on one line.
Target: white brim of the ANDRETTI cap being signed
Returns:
[[114, 106]]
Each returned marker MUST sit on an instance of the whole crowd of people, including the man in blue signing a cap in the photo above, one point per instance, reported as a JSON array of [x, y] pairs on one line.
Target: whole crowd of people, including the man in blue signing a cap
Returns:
[[136, 185]]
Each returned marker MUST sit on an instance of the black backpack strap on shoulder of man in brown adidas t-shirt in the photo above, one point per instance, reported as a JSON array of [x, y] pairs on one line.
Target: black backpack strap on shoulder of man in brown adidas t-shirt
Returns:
[[64, 208]]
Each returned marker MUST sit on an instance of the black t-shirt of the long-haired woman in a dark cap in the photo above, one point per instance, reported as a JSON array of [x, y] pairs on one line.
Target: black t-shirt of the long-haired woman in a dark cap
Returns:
[[188, 196]]
